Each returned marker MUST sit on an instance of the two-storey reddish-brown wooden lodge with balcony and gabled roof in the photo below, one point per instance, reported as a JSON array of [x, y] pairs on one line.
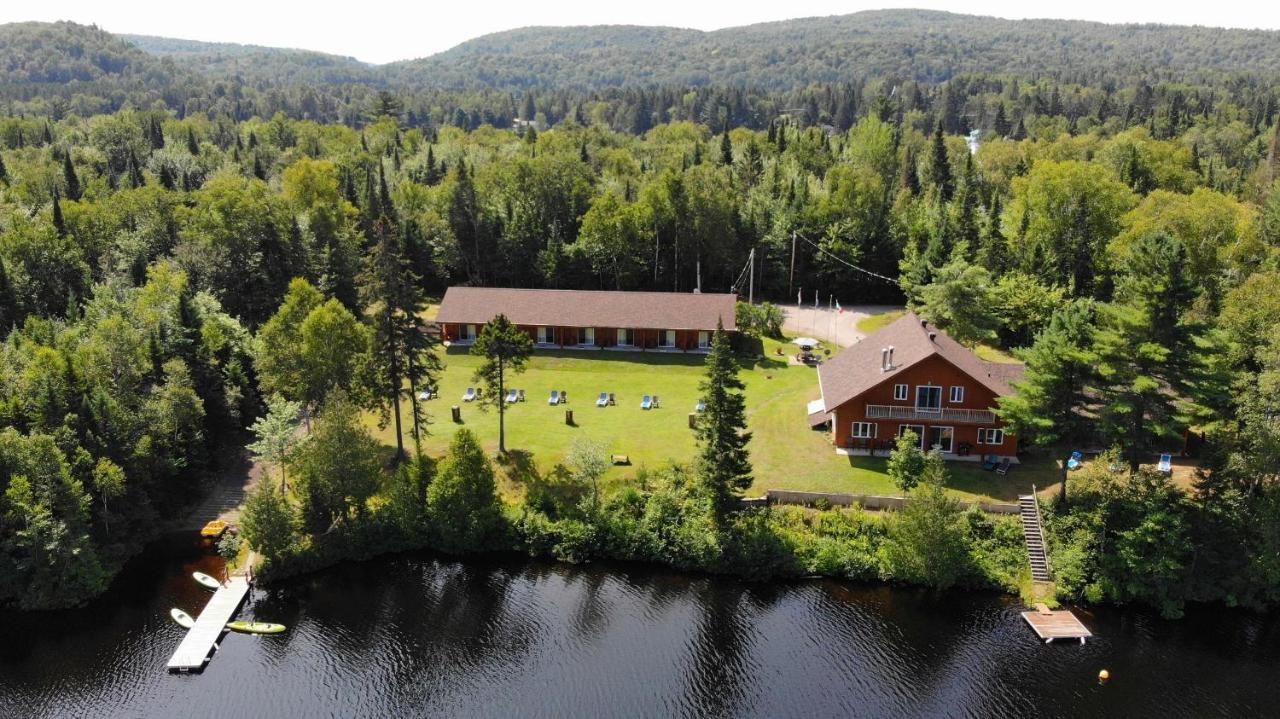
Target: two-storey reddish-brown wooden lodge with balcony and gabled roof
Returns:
[[912, 378]]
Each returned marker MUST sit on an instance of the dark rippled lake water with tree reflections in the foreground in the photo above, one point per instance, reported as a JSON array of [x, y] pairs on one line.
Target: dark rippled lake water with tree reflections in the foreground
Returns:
[[424, 636]]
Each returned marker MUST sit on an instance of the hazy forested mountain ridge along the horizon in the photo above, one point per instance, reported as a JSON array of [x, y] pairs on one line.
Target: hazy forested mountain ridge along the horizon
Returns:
[[925, 45]]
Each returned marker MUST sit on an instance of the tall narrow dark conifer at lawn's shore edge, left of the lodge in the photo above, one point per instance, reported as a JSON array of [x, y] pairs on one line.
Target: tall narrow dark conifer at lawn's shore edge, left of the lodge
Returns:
[[724, 464]]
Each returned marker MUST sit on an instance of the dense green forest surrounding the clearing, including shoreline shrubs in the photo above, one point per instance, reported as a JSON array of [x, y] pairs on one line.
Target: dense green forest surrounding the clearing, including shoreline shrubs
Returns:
[[185, 258]]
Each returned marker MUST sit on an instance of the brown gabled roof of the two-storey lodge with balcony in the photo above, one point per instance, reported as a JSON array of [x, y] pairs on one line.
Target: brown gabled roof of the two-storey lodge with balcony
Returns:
[[858, 368]]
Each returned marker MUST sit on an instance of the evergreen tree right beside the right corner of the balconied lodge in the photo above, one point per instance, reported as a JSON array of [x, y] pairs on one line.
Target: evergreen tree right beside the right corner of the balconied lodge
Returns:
[[1050, 404]]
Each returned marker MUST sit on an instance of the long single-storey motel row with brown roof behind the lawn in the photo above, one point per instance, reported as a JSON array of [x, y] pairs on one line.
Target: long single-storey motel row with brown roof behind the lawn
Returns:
[[569, 319]]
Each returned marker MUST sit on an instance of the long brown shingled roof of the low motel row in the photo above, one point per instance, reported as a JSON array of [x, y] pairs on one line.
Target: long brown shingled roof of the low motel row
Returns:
[[589, 309]]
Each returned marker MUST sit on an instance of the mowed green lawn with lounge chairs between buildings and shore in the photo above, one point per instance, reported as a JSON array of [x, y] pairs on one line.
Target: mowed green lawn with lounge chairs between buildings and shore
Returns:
[[785, 452]]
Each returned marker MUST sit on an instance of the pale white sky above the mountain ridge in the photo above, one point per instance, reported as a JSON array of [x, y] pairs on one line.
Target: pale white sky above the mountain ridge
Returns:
[[381, 31]]
